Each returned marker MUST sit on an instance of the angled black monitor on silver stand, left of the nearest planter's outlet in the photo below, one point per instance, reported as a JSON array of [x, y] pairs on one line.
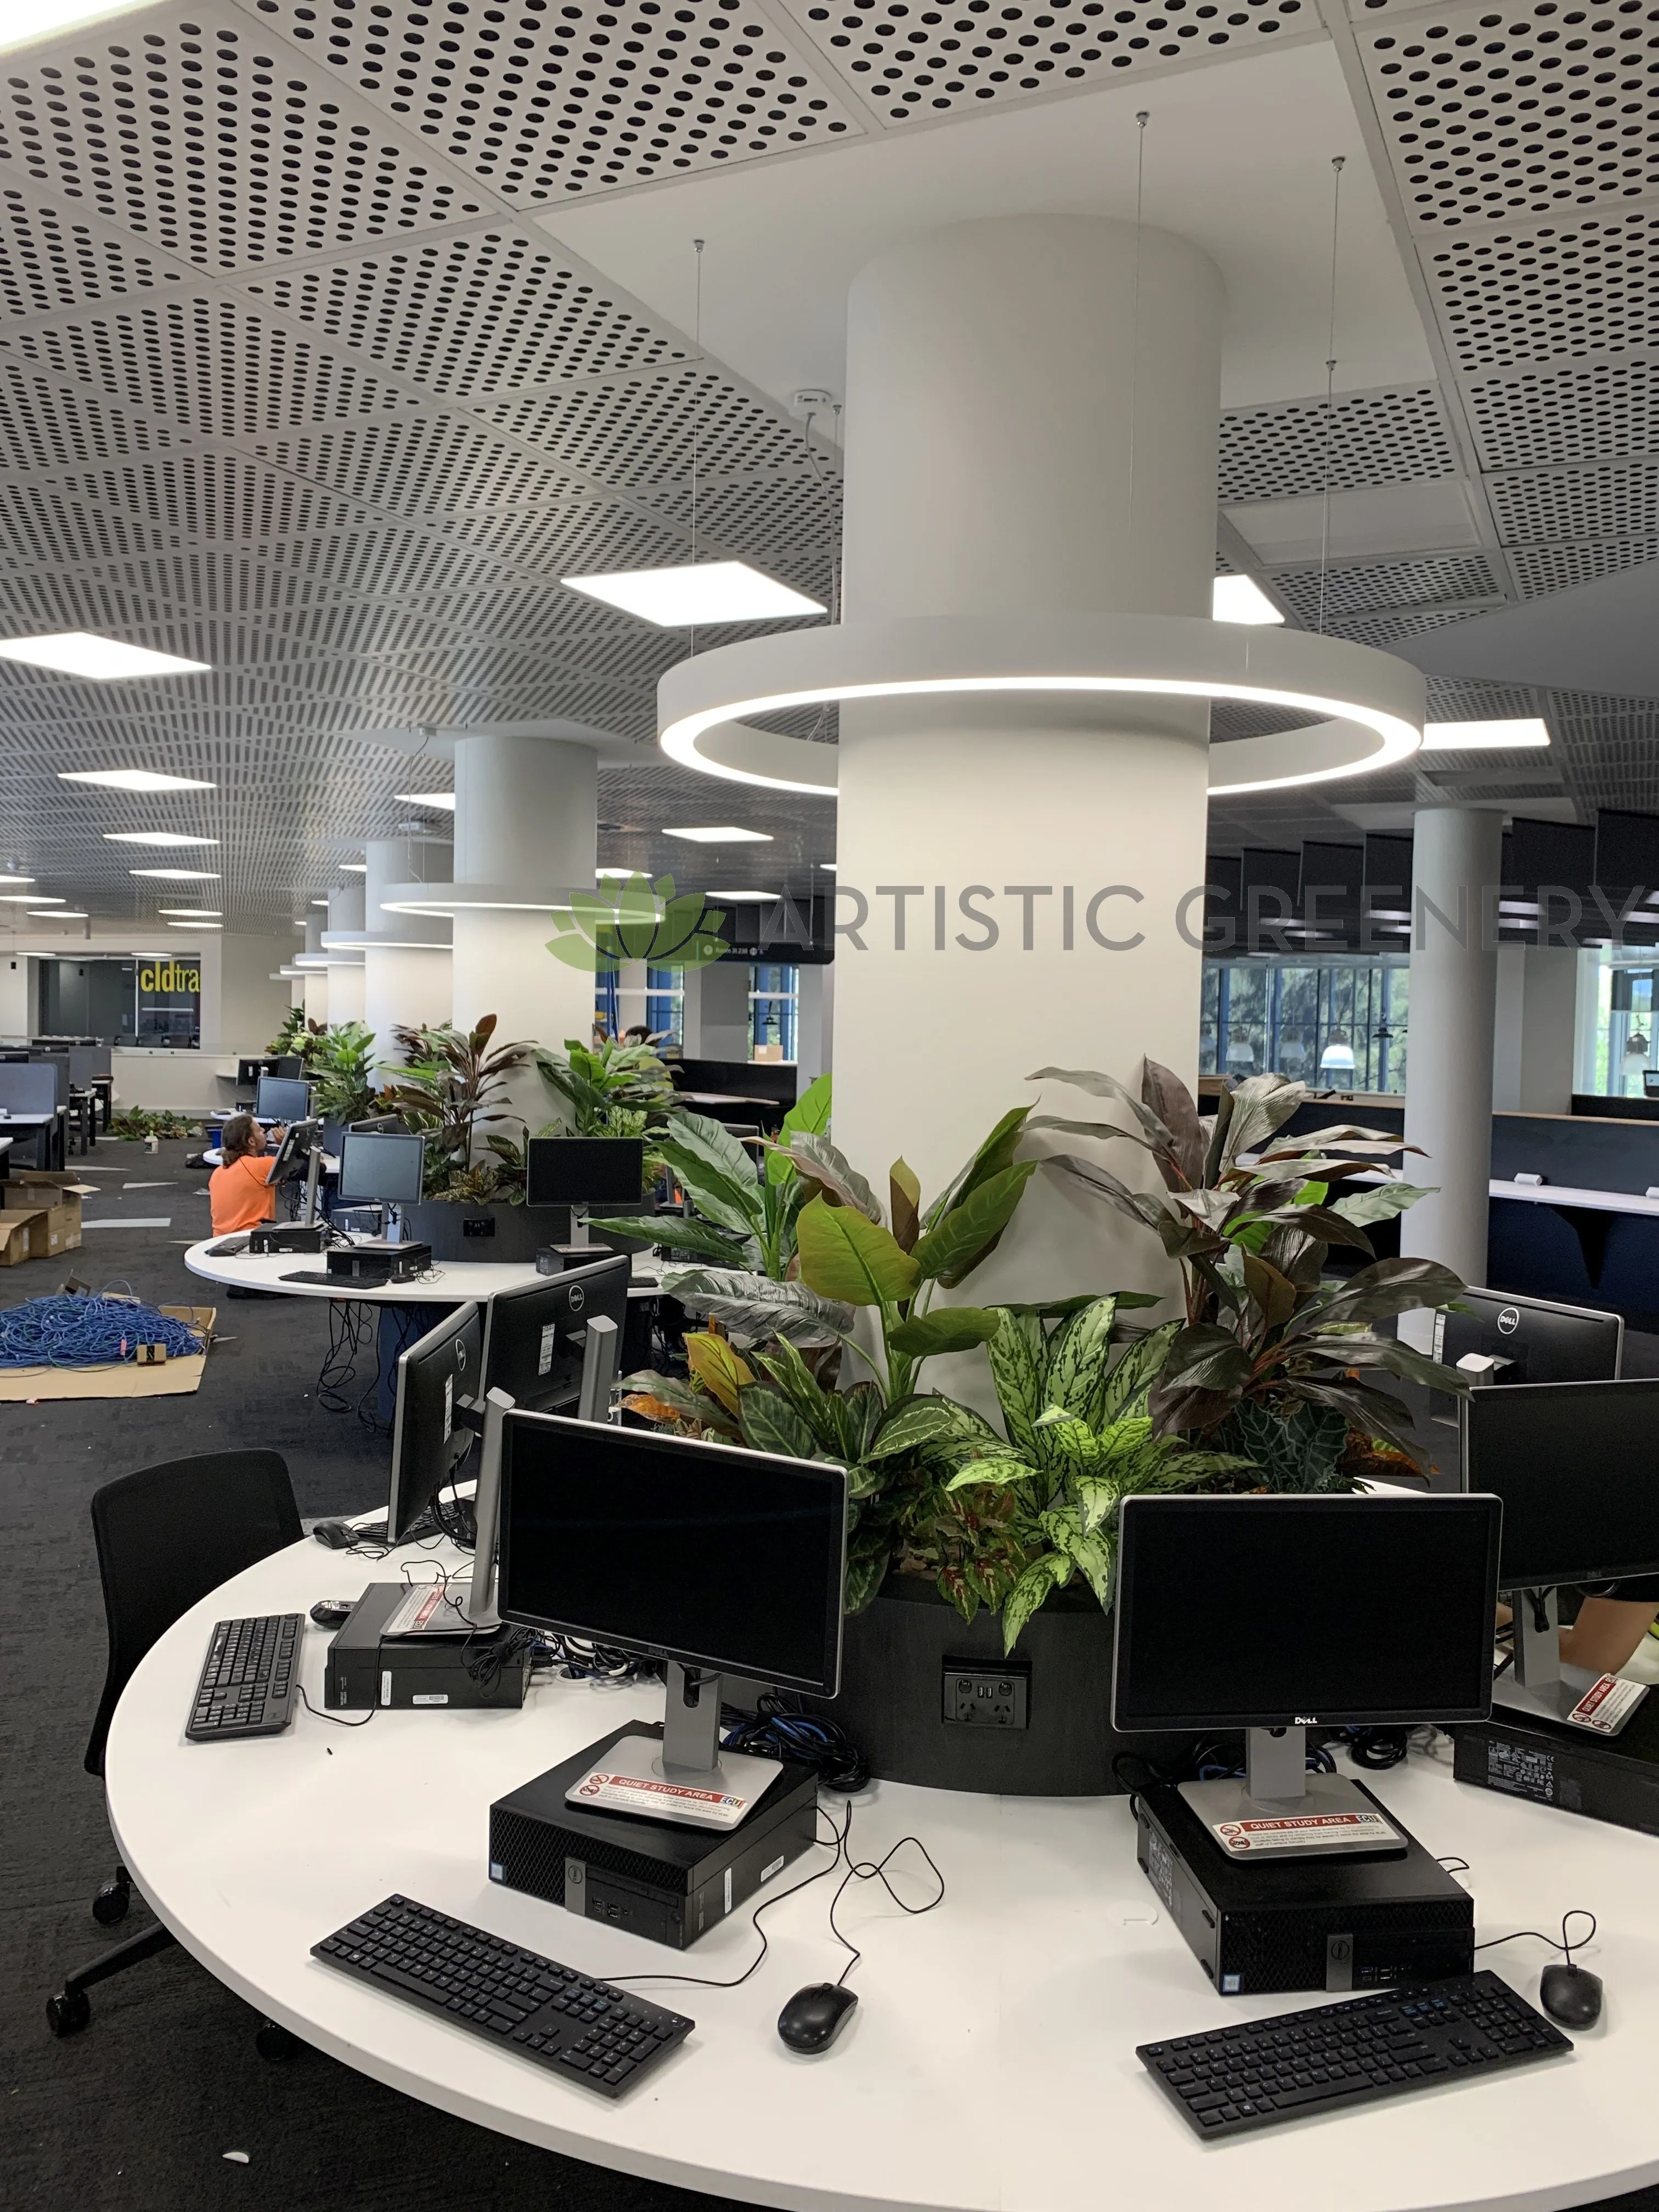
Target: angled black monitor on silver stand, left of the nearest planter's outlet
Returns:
[[696, 1554]]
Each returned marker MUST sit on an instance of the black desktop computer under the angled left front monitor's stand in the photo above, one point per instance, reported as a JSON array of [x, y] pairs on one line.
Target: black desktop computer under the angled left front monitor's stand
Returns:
[[649, 1877]]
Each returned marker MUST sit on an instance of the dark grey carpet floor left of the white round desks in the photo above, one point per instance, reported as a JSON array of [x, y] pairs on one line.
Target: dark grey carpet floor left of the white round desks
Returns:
[[138, 2114]]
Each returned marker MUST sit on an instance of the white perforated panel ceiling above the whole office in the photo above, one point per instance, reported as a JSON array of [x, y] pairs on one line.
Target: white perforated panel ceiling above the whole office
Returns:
[[331, 340]]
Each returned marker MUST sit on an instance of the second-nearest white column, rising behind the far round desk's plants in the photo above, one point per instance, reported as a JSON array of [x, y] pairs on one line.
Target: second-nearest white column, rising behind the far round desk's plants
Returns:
[[525, 833]]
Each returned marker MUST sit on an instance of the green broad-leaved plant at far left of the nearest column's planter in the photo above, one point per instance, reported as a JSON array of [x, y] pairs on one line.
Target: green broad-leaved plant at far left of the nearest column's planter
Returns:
[[742, 1209]]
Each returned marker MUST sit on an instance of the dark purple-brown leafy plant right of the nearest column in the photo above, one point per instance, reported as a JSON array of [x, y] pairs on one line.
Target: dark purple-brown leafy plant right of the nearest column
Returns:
[[1275, 1359]]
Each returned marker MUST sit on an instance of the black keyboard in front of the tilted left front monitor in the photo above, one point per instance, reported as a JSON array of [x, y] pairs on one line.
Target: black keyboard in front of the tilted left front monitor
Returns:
[[576, 2027]]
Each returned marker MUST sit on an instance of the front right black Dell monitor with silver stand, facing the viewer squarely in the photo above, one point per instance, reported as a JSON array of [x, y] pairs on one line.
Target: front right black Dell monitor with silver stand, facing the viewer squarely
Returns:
[[1284, 1614]]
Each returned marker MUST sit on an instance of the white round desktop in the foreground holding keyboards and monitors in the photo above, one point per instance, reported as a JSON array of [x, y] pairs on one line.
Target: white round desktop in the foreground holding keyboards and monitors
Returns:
[[992, 2060]]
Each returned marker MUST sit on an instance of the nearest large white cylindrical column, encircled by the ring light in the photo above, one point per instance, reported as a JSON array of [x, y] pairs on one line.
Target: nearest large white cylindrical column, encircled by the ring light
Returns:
[[1032, 428]]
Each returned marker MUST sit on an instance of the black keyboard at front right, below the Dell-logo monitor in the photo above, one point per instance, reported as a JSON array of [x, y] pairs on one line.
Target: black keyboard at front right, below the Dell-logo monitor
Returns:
[[1350, 2054]]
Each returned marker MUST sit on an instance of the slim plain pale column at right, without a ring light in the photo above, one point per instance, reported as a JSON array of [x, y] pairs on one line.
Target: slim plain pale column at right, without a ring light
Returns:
[[1457, 868]]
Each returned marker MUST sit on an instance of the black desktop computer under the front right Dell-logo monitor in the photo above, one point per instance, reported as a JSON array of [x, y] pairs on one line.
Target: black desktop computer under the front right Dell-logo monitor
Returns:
[[1306, 1923]]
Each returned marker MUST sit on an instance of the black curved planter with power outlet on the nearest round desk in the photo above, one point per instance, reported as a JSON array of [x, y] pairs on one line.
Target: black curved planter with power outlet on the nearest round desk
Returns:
[[893, 1698]]
